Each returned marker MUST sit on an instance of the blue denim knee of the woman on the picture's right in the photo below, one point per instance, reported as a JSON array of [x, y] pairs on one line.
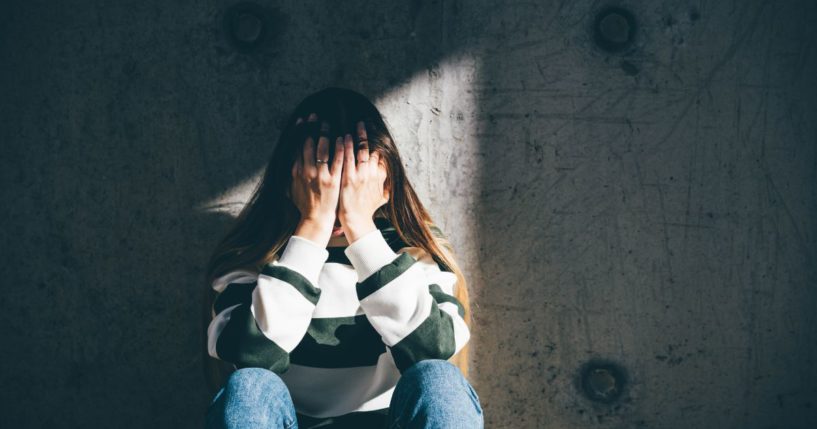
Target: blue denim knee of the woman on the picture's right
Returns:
[[433, 393]]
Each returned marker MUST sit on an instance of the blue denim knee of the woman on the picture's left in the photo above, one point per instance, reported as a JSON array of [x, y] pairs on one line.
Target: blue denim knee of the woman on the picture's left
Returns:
[[252, 398]]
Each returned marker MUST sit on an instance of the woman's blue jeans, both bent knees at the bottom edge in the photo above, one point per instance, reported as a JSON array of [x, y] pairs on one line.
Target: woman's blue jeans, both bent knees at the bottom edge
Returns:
[[432, 393]]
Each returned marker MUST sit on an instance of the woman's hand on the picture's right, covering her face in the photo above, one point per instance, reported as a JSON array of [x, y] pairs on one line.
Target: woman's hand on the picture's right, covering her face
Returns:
[[362, 189]]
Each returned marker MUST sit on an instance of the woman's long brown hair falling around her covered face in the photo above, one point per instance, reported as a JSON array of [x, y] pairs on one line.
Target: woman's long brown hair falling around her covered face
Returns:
[[269, 218]]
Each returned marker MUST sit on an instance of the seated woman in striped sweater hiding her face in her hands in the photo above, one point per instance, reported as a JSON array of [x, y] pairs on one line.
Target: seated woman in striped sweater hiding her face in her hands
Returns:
[[334, 300]]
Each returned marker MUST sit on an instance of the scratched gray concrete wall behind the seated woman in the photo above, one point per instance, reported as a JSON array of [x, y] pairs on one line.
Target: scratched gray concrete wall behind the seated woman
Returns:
[[653, 209]]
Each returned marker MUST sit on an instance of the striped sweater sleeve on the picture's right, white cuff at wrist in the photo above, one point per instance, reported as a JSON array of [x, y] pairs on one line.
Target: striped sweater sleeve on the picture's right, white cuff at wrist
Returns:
[[408, 300]]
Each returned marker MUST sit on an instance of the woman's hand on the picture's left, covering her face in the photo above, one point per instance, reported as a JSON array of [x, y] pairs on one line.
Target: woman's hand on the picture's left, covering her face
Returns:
[[316, 187]]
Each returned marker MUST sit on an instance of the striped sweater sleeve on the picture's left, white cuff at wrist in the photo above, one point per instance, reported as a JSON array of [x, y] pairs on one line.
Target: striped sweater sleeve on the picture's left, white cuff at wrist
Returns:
[[260, 318]]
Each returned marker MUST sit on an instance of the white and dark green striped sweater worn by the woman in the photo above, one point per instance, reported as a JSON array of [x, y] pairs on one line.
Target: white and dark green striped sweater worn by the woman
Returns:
[[339, 324]]
